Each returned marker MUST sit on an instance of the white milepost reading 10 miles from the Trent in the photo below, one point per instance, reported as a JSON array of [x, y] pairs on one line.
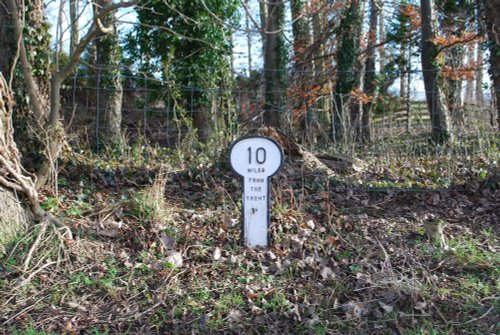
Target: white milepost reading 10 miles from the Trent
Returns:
[[256, 159]]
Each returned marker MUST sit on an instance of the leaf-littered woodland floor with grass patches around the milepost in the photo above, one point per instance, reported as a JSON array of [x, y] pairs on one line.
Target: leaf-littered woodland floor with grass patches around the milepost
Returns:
[[154, 248]]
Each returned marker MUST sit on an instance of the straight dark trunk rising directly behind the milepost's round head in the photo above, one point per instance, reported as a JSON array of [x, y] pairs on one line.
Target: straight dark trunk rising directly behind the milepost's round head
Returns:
[[274, 63]]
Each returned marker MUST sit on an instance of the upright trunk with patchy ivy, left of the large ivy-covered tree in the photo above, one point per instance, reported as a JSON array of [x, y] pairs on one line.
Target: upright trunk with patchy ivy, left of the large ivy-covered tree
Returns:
[[108, 50]]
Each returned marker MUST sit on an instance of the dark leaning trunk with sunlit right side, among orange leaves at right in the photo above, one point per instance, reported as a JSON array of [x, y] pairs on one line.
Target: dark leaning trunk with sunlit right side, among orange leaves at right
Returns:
[[436, 102]]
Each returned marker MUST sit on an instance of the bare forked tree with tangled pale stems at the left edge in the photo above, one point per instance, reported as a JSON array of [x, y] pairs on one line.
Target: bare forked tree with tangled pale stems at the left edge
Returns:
[[13, 177]]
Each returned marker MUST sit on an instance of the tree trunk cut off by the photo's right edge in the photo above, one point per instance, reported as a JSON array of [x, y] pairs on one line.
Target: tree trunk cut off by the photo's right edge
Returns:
[[491, 14]]
